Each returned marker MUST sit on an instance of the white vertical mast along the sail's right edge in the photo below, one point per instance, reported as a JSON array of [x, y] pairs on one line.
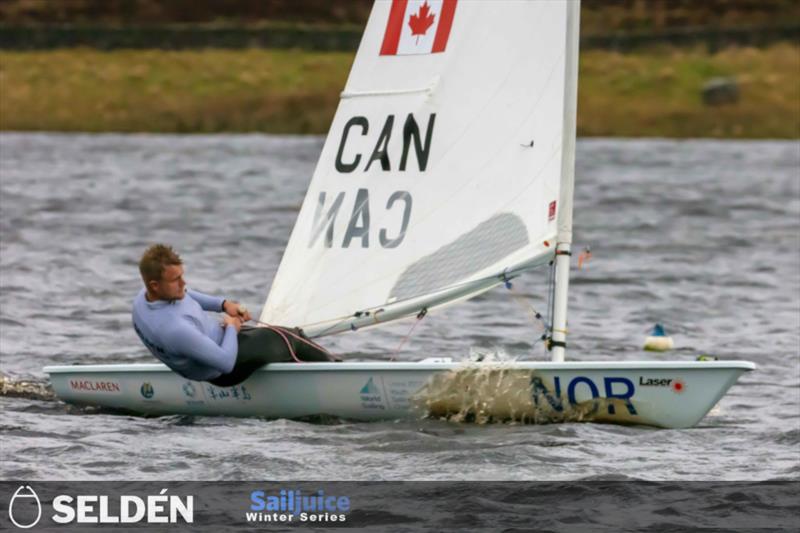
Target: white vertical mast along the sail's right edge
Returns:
[[558, 341]]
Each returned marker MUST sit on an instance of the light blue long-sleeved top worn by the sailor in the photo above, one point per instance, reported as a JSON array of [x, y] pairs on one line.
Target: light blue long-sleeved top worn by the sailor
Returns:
[[182, 336]]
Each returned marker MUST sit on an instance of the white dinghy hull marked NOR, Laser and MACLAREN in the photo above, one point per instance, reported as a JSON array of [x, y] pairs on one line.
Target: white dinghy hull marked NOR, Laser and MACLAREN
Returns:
[[663, 394]]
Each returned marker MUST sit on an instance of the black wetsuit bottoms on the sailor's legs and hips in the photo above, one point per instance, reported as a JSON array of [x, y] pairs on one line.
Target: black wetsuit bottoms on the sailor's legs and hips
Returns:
[[260, 346]]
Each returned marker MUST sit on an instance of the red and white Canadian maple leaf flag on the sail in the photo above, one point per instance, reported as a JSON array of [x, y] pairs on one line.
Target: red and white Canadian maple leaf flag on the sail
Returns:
[[418, 27]]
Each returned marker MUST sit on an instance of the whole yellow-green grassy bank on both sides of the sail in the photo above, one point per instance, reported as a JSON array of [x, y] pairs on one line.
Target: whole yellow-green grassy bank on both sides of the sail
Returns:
[[650, 93]]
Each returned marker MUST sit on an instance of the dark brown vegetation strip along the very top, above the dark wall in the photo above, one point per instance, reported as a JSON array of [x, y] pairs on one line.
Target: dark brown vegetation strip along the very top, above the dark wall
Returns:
[[598, 16]]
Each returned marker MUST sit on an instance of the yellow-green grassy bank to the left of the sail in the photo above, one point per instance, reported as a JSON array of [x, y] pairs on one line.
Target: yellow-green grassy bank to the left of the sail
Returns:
[[158, 91]]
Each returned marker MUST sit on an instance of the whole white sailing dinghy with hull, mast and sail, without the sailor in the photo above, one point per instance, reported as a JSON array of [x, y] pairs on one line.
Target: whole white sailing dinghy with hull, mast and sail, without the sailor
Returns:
[[448, 170]]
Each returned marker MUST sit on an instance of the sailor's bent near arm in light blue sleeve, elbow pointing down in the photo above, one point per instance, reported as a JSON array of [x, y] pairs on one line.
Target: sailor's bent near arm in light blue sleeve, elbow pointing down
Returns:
[[186, 340]]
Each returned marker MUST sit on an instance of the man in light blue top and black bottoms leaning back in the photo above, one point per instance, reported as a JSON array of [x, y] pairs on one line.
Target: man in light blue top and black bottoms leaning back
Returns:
[[172, 322]]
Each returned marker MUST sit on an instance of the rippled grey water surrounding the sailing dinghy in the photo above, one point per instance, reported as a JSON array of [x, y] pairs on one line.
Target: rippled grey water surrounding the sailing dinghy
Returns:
[[702, 236]]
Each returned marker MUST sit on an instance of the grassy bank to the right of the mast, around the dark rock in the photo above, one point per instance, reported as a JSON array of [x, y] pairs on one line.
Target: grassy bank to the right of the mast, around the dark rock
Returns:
[[657, 93]]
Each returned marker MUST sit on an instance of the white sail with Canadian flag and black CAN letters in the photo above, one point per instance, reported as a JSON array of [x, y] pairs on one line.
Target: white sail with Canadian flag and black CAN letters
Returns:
[[442, 168]]
